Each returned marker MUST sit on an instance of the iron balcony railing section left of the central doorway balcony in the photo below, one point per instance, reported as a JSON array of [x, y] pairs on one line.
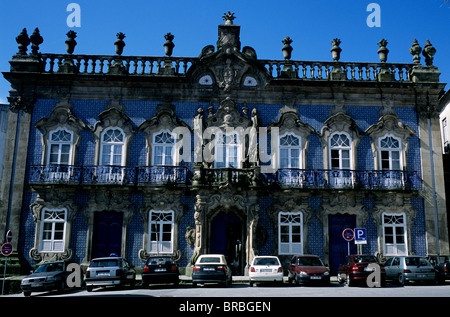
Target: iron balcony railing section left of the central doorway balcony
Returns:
[[107, 175]]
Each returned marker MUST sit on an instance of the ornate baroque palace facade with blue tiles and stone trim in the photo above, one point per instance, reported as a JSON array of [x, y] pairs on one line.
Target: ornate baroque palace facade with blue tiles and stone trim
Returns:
[[221, 153]]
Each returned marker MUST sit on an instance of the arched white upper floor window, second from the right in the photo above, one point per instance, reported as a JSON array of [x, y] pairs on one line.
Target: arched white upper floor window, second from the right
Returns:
[[340, 151]]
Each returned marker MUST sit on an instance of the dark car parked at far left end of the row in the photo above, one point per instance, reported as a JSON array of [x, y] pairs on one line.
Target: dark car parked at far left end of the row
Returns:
[[47, 277]]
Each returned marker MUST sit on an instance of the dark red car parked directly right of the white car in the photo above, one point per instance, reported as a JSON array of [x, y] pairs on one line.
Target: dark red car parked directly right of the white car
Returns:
[[305, 269]]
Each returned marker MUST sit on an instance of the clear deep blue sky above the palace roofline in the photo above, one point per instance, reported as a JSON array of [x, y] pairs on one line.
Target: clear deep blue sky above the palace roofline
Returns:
[[311, 24]]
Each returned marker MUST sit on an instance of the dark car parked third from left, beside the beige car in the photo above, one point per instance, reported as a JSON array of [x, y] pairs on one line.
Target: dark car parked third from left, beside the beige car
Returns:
[[160, 269]]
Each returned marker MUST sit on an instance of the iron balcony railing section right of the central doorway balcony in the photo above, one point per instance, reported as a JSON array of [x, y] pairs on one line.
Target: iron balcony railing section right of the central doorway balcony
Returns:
[[348, 179]]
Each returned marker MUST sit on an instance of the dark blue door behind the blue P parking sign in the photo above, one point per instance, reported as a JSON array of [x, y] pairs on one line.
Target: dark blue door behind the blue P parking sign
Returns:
[[338, 246]]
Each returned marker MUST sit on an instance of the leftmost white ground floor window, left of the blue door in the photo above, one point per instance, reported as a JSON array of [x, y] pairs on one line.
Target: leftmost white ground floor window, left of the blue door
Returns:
[[53, 227]]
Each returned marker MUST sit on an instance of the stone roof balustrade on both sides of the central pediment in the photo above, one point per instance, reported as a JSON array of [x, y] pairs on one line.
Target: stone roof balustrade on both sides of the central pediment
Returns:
[[151, 65]]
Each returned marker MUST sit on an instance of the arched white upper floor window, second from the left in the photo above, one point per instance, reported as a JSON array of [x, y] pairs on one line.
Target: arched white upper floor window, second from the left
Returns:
[[112, 147]]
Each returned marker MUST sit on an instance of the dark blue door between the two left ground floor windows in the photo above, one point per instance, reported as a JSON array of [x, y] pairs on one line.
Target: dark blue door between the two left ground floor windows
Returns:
[[107, 236]]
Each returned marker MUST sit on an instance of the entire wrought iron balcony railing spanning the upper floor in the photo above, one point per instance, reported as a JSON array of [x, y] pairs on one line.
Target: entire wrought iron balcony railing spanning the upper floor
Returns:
[[178, 175]]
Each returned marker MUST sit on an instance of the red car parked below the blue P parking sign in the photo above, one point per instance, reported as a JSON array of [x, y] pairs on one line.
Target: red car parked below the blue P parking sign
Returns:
[[355, 270]]
